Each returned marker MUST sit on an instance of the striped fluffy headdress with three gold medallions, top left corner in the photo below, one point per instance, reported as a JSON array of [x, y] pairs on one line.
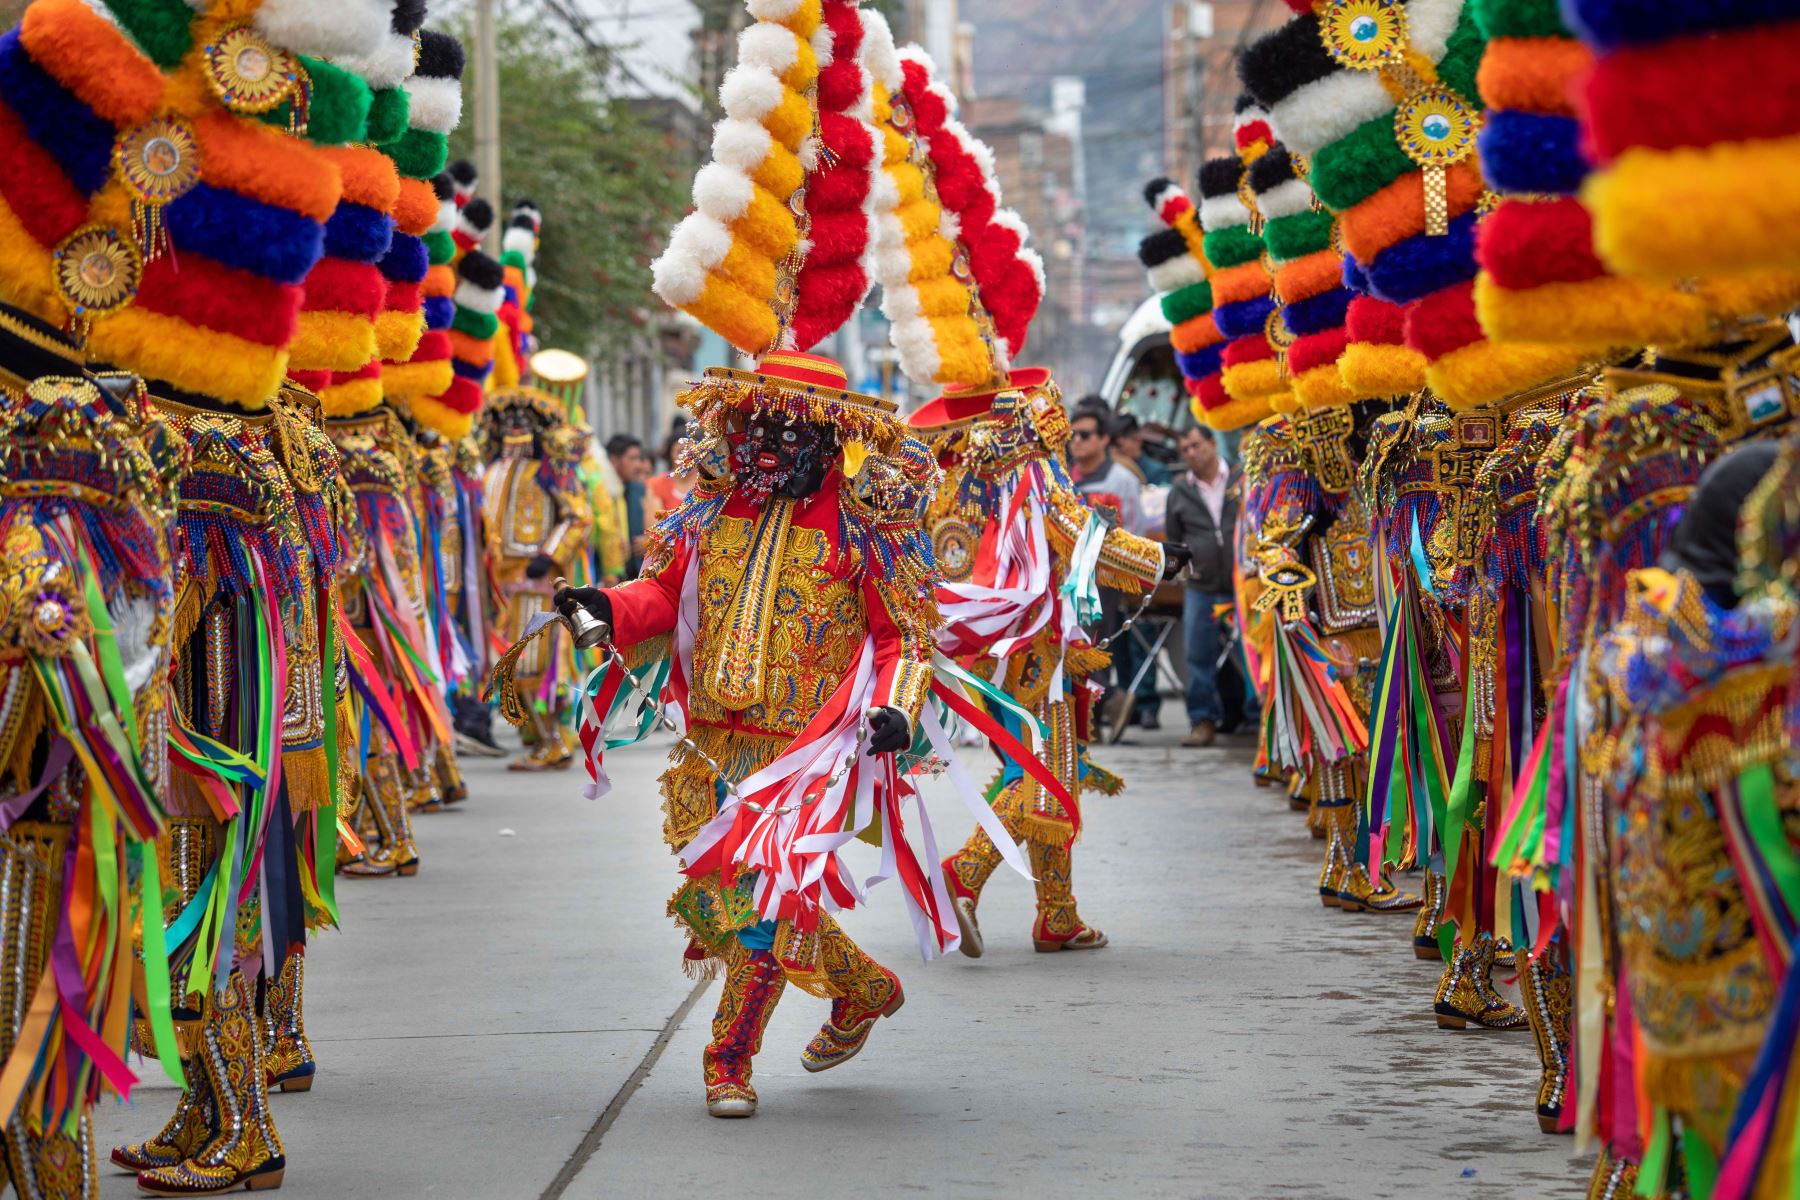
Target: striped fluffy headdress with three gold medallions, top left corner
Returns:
[[159, 213]]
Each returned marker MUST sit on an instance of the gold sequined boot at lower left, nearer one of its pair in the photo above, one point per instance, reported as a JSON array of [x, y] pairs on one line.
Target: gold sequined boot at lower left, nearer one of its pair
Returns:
[[242, 1149]]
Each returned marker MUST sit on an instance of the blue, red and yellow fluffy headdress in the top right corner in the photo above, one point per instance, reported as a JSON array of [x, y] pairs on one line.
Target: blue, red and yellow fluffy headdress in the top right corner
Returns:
[[1695, 121]]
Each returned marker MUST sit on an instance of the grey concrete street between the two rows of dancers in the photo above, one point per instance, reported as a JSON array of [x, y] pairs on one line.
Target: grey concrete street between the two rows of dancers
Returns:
[[514, 1025]]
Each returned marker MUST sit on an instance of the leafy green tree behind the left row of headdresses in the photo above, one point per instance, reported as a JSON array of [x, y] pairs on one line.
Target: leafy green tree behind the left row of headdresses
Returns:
[[609, 184]]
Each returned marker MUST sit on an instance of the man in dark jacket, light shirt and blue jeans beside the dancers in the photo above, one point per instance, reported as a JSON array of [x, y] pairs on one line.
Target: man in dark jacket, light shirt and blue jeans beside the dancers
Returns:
[[1203, 508]]
